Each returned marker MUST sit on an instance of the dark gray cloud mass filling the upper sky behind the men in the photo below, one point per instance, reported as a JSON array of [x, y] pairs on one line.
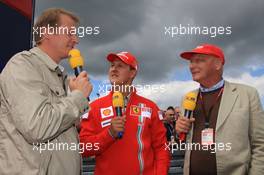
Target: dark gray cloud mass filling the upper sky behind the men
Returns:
[[138, 26]]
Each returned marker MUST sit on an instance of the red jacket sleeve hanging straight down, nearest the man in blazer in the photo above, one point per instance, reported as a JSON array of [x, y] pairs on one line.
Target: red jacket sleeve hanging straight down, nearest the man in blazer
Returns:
[[159, 141]]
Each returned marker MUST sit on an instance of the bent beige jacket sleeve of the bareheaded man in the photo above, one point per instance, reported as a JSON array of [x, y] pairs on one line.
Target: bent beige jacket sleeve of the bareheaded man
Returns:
[[28, 99]]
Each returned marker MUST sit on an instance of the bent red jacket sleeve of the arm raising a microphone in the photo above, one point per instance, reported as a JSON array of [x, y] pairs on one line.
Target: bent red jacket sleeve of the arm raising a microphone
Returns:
[[92, 134]]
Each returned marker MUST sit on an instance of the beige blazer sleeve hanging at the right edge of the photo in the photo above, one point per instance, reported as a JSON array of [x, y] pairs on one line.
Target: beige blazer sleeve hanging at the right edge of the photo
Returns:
[[256, 135]]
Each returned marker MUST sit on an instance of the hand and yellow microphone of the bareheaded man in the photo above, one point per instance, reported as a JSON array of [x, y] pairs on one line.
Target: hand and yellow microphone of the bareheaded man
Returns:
[[81, 81]]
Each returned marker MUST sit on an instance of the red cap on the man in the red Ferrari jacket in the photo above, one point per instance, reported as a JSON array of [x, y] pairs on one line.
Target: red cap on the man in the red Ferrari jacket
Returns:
[[126, 57]]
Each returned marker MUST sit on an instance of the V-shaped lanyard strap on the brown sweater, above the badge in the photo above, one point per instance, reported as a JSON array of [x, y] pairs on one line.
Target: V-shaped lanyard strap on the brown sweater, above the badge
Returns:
[[208, 115]]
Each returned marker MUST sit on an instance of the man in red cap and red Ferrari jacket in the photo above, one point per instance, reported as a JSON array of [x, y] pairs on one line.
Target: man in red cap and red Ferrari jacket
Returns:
[[141, 150]]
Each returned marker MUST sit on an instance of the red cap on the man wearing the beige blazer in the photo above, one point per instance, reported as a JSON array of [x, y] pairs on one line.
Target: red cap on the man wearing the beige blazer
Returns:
[[207, 49]]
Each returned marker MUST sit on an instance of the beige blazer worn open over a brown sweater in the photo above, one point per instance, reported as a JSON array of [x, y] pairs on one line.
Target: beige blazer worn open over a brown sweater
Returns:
[[240, 124]]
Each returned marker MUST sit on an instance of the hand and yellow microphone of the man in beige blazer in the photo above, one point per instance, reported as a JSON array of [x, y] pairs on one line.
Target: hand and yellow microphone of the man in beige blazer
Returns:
[[183, 124]]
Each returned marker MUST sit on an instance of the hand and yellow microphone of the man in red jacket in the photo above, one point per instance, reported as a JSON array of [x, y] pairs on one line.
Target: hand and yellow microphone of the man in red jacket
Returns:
[[118, 123]]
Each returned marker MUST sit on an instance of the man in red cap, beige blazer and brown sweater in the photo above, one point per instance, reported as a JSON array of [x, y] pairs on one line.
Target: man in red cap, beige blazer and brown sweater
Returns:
[[228, 120]]
